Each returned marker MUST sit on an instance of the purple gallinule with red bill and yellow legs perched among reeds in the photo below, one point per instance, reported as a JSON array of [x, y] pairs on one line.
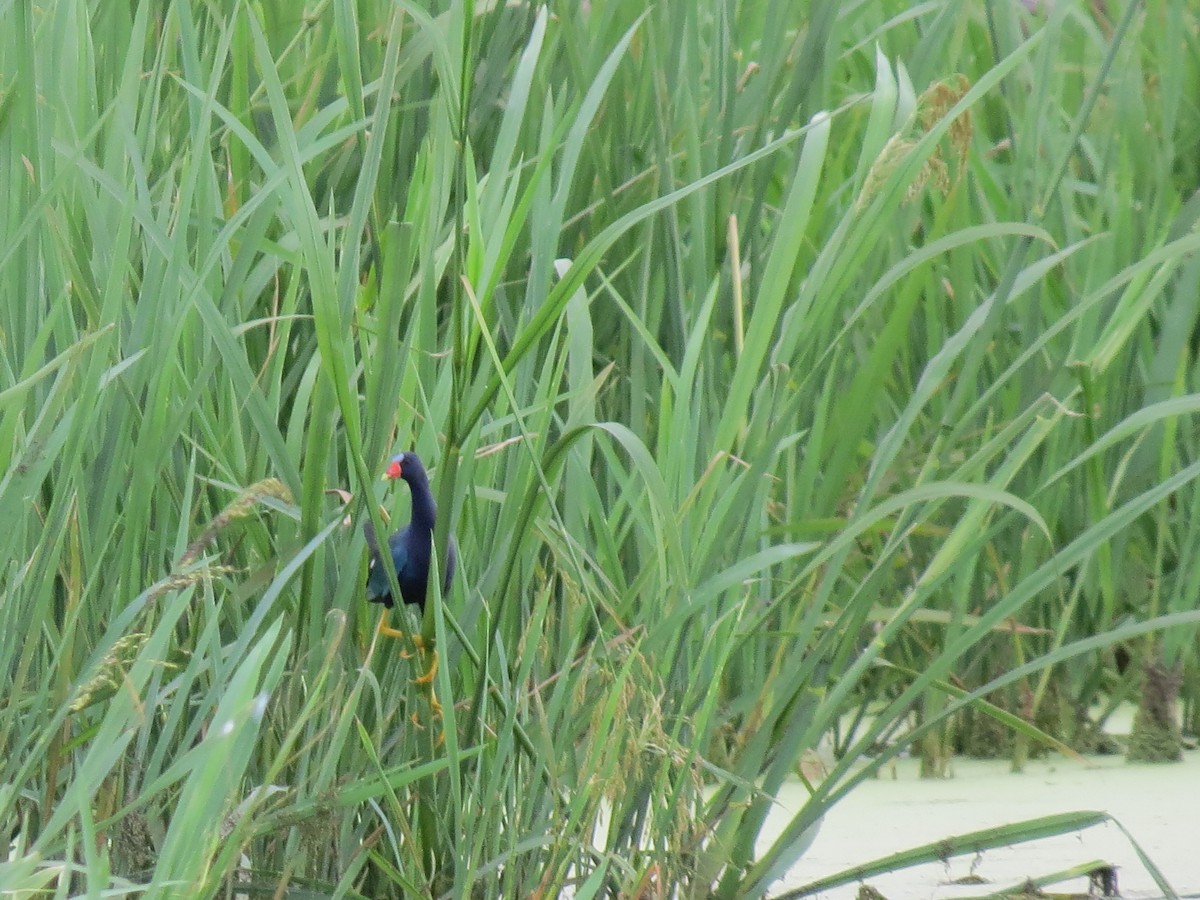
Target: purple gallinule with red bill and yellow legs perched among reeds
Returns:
[[412, 550]]
